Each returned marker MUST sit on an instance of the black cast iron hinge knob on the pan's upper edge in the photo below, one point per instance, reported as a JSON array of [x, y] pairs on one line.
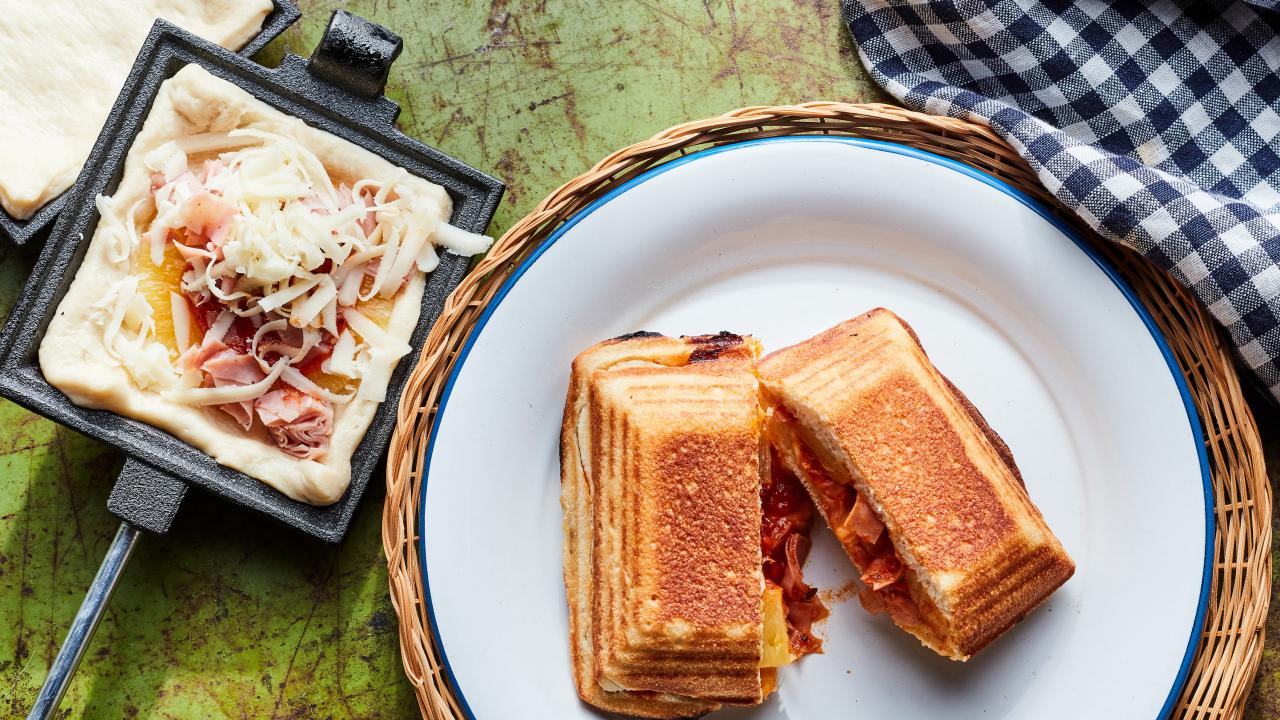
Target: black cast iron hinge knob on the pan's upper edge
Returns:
[[355, 56]]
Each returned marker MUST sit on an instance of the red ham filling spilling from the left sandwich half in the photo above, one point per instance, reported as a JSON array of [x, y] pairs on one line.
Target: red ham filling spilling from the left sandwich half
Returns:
[[785, 523]]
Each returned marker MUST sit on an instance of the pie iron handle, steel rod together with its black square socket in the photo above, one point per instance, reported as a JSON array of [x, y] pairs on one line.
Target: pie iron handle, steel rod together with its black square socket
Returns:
[[147, 500]]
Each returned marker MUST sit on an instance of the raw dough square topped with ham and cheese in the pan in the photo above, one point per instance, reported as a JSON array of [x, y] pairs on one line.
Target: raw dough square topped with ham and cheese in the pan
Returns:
[[250, 288]]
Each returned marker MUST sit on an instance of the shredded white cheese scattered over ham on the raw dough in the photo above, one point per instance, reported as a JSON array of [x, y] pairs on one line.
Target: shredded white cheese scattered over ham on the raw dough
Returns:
[[269, 235]]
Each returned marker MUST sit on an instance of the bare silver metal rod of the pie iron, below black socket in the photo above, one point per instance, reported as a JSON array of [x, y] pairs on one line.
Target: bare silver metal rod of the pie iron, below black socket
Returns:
[[85, 623]]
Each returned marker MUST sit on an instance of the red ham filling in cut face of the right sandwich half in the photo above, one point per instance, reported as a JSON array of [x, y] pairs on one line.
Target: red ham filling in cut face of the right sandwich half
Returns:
[[884, 576]]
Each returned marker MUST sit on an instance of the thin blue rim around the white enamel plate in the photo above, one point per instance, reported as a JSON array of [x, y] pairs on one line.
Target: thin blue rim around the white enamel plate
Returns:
[[1192, 416]]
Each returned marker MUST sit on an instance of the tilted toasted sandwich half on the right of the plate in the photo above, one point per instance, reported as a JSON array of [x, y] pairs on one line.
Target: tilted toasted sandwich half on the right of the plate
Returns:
[[922, 494]]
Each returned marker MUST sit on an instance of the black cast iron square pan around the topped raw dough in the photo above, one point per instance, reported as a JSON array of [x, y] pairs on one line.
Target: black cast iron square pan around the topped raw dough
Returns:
[[339, 92]]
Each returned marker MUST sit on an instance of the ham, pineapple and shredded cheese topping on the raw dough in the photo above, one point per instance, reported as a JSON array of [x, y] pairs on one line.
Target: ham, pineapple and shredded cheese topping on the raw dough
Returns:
[[269, 282]]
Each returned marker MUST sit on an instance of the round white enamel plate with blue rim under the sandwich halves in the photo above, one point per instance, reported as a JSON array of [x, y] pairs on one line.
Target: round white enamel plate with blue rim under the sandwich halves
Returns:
[[783, 239]]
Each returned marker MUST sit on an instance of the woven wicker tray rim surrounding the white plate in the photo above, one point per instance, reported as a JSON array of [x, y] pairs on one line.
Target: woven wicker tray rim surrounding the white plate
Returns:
[[1231, 646]]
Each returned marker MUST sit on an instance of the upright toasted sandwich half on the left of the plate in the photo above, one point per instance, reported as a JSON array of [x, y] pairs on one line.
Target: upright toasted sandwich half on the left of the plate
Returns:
[[664, 468]]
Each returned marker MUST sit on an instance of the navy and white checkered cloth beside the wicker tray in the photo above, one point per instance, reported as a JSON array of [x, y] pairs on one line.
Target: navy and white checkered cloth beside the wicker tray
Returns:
[[1158, 122]]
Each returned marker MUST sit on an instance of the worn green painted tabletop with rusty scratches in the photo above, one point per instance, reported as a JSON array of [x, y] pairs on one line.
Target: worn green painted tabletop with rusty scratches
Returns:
[[234, 617]]
